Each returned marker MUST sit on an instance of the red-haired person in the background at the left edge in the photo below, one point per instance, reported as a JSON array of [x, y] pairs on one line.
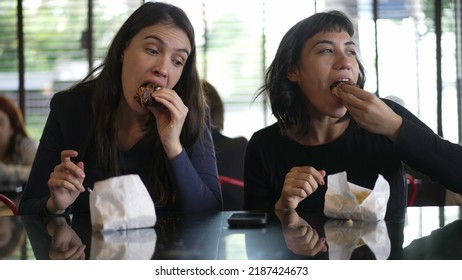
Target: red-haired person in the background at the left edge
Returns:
[[17, 149]]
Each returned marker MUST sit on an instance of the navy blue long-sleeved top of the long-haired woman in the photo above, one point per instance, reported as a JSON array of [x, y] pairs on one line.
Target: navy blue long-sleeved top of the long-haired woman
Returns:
[[193, 172]]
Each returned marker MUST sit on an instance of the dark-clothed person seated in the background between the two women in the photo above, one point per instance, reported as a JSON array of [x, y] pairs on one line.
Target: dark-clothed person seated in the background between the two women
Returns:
[[229, 151]]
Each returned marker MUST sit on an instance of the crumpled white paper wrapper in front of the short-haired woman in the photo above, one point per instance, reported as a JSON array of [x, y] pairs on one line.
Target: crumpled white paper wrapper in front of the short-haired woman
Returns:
[[342, 203]]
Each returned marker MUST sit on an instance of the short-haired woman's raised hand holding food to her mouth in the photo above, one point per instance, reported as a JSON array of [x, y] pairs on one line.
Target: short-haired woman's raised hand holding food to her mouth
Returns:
[[370, 112]]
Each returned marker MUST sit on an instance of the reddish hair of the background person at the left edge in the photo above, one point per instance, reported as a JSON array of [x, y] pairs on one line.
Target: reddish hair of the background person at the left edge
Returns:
[[16, 118]]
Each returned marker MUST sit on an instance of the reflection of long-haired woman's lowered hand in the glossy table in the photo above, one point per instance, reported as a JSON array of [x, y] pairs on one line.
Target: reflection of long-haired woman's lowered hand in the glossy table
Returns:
[[65, 243]]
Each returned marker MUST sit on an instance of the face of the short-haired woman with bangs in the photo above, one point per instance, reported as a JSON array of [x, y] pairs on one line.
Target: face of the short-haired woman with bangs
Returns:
[[326, 57]]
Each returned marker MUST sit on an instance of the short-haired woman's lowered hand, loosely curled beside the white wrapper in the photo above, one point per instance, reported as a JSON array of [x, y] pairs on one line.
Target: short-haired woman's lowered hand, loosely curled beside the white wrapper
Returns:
[[299, 183]]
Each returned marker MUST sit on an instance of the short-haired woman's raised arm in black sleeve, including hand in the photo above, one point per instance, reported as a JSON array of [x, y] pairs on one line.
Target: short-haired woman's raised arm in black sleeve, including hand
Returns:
[[416, 144]]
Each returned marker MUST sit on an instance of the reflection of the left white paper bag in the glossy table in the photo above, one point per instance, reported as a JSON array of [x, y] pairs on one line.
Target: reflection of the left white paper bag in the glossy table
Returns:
[[134, 244]]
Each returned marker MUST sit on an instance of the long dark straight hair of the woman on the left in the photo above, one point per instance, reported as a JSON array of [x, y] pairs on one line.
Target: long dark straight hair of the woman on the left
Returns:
[[108, 92]]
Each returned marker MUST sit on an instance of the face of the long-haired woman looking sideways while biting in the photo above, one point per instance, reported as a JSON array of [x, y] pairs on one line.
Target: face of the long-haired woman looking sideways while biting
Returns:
[[157, 54]]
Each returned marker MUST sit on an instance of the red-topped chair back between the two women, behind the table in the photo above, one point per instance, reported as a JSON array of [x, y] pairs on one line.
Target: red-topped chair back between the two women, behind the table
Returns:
[[232, 190]]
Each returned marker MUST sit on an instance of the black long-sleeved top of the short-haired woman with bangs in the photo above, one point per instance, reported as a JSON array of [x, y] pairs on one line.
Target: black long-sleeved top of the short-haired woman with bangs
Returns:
[[363, 155]]
